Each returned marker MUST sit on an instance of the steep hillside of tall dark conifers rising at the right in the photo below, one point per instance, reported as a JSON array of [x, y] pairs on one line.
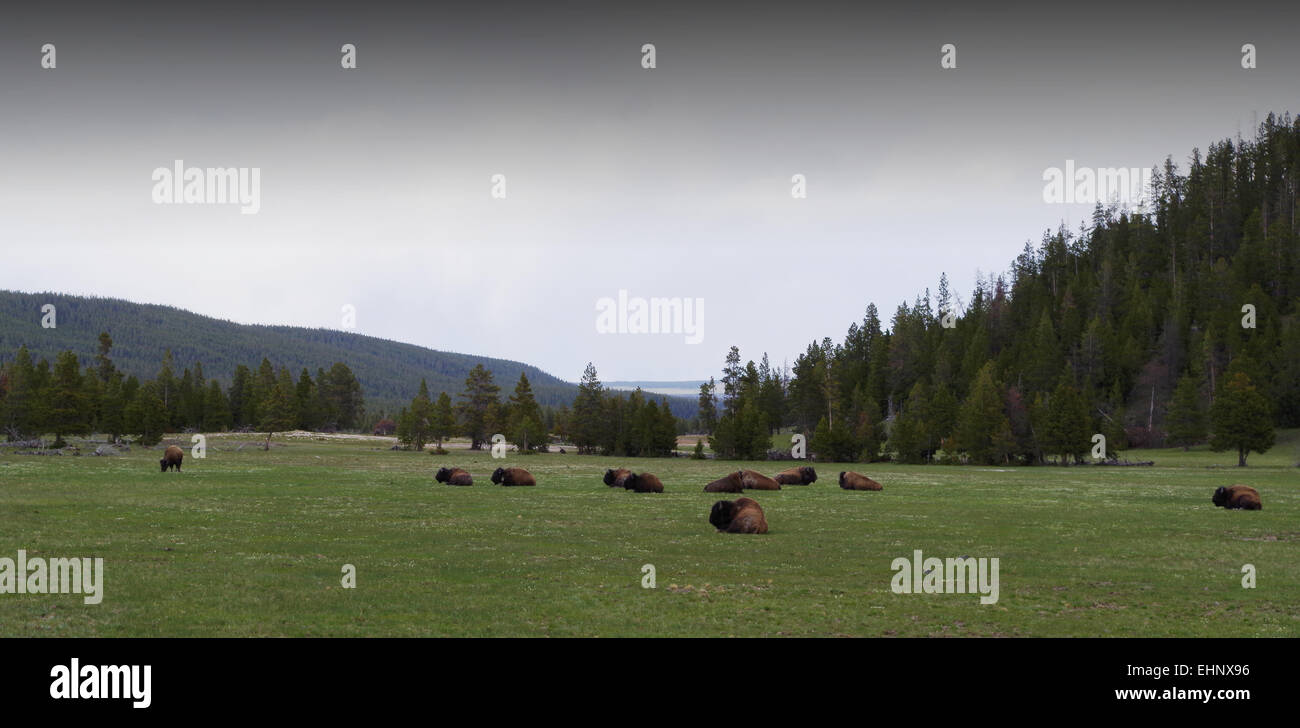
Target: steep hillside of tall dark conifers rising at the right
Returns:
[[1172, 326]]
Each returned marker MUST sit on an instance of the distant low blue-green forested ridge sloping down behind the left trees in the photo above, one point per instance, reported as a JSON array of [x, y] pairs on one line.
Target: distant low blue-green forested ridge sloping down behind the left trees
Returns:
[[389, 371]]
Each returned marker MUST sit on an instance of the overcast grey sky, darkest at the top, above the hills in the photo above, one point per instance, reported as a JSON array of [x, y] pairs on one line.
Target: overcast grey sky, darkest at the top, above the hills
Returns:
[[376, 183]]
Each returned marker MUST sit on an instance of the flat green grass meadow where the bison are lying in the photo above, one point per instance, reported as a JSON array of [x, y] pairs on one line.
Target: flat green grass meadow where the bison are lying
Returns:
[[253, 543]]
